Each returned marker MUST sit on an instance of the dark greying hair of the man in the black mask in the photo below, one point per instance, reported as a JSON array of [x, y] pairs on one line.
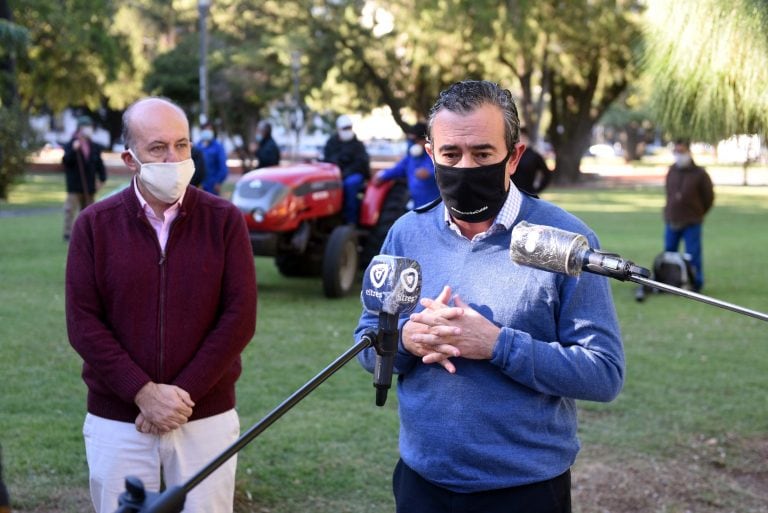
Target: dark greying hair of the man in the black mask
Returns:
[[468, 95]]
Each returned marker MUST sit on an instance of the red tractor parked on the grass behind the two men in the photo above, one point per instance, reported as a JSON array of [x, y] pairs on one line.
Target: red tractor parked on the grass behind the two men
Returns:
[[293, 213]]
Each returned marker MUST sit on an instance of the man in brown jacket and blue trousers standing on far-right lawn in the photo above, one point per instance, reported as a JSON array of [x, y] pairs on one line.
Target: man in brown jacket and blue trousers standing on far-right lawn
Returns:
[[690, 195]]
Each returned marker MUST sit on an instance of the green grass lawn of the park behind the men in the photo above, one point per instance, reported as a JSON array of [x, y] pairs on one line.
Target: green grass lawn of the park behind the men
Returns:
[[695, 390]]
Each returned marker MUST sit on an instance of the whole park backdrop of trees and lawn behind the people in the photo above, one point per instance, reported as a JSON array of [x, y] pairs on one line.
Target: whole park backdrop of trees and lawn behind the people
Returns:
[[689, 431]]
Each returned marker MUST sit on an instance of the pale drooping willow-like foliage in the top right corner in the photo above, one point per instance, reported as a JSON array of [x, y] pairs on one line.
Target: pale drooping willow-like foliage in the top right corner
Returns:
[[710, 63]]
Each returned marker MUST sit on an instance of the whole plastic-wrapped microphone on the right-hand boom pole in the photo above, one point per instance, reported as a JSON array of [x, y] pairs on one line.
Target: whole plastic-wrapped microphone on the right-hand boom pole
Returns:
[[555, 250]]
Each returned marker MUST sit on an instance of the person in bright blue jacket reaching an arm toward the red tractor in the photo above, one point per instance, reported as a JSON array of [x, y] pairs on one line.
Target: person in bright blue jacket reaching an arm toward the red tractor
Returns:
[[416, 167]]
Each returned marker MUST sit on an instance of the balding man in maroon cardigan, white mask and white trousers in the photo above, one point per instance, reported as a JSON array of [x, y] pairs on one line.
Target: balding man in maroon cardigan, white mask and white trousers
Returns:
[[160, 302]]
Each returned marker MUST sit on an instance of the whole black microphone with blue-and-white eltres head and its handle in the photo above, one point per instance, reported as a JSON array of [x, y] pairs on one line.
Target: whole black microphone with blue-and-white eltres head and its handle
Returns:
[[391, 286]]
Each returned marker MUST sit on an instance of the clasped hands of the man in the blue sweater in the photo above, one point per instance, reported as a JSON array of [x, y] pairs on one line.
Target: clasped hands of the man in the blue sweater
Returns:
[[440, 332]]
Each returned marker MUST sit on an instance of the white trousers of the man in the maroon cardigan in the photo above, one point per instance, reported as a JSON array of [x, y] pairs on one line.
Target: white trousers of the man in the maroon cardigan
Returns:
[[115, 450]]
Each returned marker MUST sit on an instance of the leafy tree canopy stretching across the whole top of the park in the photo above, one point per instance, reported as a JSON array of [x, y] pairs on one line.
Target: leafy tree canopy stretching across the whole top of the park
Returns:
[[566, 62]]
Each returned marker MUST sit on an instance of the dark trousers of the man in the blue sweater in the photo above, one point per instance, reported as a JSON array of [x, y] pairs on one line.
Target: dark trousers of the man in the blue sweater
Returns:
[[414, 494]]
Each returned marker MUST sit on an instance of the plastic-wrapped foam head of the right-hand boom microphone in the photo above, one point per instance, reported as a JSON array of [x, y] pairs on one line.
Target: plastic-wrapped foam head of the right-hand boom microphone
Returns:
[[548, 248]]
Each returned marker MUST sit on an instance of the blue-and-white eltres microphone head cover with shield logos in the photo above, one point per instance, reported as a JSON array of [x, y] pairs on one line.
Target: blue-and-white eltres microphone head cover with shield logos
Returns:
[[391, 285]]
